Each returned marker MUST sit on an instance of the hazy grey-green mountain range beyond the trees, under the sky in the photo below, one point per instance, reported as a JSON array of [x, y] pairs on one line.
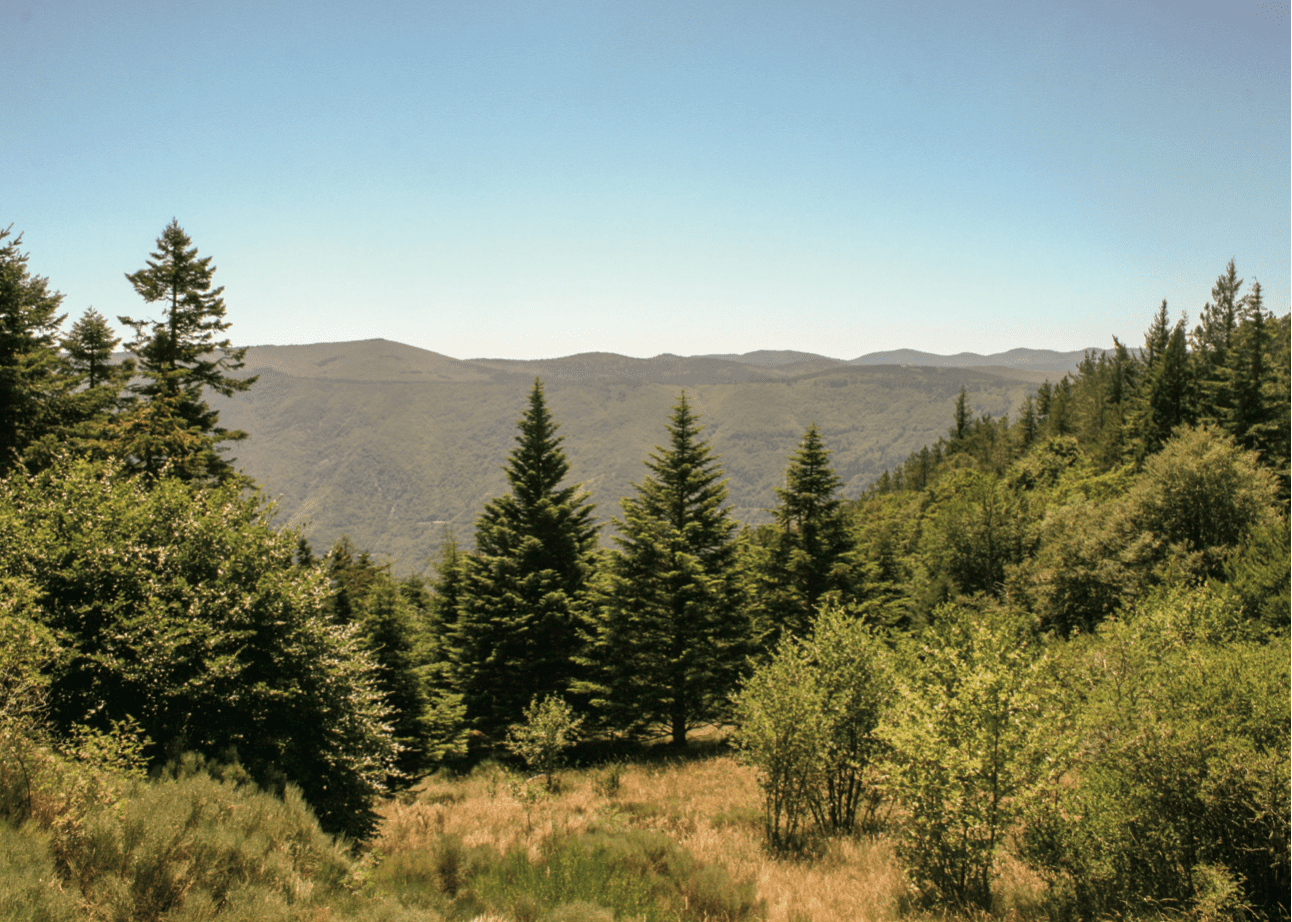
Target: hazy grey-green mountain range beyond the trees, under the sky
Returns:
[[399, 447]]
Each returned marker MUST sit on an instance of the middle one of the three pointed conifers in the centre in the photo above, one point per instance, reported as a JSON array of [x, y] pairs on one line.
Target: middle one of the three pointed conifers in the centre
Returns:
[[672, 635]]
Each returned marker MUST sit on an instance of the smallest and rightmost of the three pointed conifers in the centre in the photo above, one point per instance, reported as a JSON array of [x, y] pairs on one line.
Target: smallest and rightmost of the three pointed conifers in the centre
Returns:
[[809, 543]]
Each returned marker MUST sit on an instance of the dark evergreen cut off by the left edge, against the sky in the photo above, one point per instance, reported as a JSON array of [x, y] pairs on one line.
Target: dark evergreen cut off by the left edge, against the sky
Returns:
[[33, 376]]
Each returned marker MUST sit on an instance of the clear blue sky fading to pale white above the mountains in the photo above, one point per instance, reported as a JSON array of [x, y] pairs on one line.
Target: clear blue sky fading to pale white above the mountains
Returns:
[[523, 179]]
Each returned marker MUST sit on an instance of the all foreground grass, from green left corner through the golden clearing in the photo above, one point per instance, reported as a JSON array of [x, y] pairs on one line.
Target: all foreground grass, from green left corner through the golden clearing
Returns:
[[656, 840]]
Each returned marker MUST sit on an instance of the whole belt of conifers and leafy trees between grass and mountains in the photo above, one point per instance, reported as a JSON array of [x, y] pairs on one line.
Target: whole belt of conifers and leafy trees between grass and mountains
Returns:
[[1136, 508]]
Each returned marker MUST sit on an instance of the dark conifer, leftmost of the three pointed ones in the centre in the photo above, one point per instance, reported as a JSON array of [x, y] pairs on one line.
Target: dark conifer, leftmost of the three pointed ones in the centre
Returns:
[[519, 631]]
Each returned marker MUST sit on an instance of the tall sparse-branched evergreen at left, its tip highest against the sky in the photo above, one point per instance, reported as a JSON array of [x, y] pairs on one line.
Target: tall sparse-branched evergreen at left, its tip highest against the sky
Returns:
[[179, 357]]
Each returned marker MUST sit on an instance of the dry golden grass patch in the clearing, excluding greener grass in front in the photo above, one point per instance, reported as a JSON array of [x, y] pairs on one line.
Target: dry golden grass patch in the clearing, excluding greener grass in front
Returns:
[[711, 808]]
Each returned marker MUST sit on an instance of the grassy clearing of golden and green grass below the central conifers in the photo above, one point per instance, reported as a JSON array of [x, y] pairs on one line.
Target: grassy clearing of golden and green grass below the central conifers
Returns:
[[694, 826]]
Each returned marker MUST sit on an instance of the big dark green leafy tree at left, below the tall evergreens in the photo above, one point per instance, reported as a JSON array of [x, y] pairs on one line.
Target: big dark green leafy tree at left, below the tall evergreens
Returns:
[[184, 610]]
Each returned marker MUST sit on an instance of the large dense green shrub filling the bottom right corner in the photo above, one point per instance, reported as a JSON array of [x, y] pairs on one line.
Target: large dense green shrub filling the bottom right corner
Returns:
[[1179, 796]]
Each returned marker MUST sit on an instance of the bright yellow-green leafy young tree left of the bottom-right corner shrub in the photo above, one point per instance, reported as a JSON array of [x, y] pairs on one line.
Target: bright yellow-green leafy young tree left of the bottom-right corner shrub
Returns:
[[967, 739]]
